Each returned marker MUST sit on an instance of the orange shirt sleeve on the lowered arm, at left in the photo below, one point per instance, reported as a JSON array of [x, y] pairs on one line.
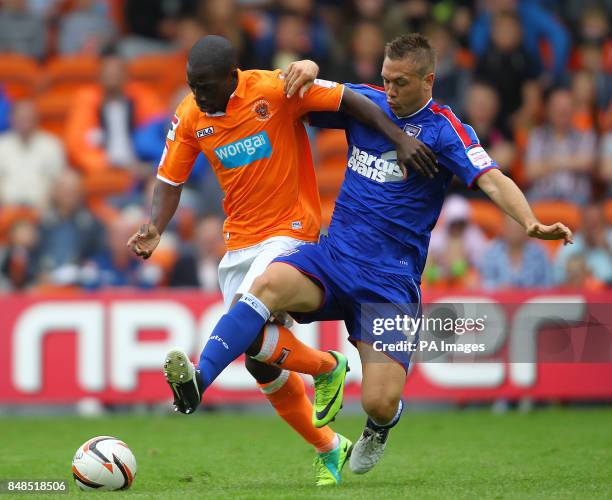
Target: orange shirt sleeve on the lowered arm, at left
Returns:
[[181, 149]]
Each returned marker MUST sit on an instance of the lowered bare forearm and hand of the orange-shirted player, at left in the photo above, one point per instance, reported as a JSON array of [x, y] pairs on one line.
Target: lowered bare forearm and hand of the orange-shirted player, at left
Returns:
[[165, 202]]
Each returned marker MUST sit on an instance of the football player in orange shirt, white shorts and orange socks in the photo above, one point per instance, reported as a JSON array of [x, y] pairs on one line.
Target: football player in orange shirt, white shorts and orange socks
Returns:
[[252, 134]]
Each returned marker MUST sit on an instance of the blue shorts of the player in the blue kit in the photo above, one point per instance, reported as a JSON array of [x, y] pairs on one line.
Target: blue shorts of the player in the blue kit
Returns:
[[361, 296]]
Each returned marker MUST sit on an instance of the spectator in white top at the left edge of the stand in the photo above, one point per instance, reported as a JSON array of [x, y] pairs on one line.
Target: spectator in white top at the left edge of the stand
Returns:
[[30, 160]]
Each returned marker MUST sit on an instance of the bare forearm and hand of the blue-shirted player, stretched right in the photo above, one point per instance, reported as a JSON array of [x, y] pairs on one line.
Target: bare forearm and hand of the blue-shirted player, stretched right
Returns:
[[506, 195]]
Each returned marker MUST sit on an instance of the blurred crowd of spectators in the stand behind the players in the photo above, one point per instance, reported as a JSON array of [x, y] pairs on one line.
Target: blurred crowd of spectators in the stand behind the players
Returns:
[[533, 78]]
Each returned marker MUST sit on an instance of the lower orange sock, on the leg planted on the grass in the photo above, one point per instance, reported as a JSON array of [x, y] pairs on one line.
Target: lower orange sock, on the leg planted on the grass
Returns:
[[288, 396]]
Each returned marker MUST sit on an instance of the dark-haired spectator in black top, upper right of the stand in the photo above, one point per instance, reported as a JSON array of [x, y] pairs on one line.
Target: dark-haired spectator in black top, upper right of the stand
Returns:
[[507, 66]]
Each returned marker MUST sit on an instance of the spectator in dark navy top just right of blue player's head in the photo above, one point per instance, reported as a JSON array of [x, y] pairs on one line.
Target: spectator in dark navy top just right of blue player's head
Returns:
[[451, 79]]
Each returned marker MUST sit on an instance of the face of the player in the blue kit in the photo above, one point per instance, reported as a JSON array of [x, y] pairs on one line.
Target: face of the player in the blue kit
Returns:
[[407, 89]]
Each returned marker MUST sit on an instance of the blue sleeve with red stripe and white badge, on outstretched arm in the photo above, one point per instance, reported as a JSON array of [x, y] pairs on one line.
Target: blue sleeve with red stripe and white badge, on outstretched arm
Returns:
[[460, 151]]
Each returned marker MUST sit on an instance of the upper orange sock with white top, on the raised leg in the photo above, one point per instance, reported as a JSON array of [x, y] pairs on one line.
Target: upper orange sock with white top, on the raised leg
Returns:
[[281, 348]]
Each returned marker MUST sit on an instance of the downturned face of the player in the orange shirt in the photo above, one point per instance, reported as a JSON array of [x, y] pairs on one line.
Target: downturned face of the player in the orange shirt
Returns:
[[211, 91]]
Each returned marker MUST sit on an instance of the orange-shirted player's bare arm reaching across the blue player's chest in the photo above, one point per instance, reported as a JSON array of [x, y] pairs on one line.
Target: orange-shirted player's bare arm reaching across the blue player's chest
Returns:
[[411, 153]]
